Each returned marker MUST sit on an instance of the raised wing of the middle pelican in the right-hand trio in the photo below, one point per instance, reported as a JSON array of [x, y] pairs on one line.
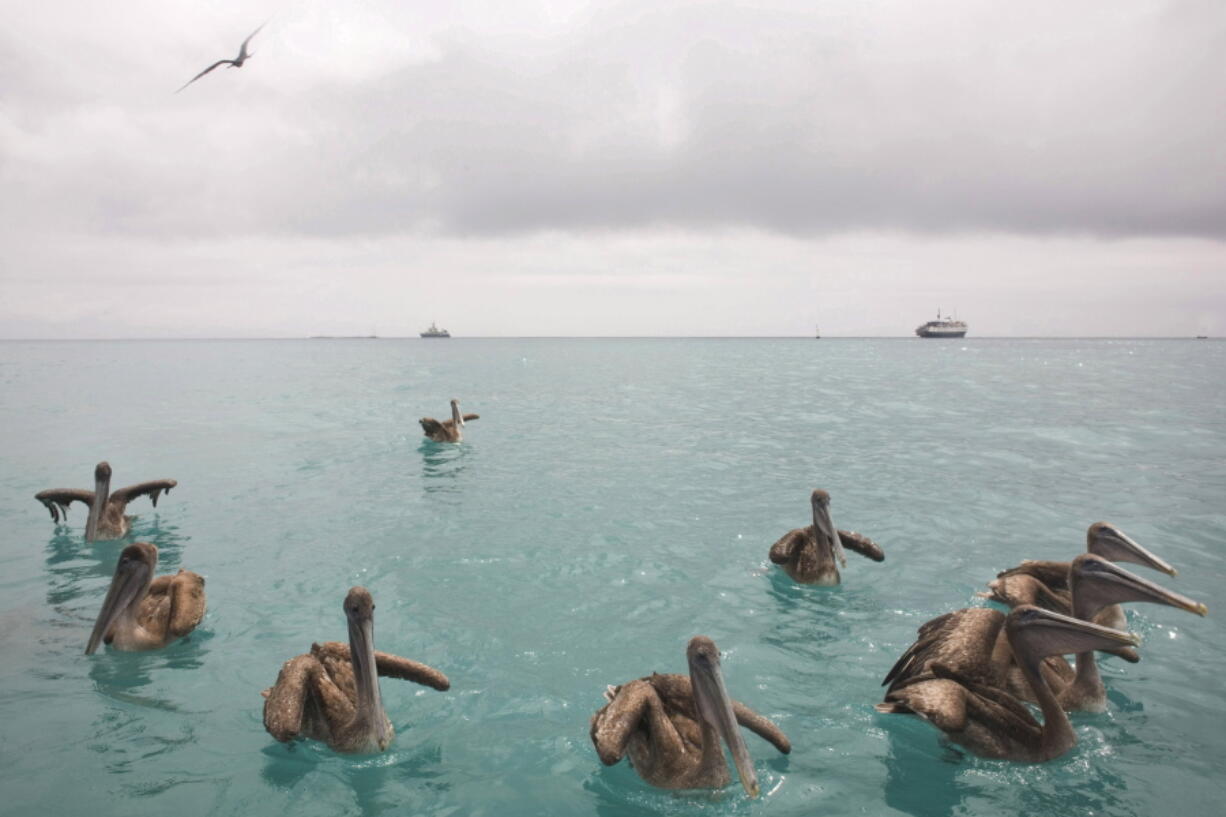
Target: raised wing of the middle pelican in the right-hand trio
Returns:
[[962, 640]]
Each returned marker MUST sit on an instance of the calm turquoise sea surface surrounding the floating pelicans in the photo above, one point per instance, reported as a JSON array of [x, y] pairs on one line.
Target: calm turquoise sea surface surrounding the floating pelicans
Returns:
[[616, 499]]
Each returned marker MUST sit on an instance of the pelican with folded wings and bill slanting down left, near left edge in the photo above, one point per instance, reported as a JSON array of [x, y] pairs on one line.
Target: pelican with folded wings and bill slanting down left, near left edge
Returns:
[[145, 614]]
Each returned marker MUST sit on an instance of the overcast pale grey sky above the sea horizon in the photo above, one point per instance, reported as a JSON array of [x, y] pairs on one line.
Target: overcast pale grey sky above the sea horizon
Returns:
[[512, 167]]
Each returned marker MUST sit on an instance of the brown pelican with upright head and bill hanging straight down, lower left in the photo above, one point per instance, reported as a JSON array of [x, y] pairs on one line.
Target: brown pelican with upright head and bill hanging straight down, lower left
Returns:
[[333, 692]]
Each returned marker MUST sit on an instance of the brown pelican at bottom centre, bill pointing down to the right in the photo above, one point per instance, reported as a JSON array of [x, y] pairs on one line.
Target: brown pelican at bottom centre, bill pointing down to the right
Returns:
[[671, 726]]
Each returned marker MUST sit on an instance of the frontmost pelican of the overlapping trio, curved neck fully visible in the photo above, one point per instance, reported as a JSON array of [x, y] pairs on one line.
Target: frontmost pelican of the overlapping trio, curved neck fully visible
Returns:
[[991, 722]]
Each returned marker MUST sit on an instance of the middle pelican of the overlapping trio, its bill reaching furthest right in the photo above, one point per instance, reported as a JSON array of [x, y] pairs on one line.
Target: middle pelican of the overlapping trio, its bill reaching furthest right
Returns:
[[970, 642]]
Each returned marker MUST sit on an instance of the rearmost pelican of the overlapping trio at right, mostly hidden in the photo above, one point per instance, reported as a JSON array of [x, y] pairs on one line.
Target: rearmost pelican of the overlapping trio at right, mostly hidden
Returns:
[[1046, 585]]
